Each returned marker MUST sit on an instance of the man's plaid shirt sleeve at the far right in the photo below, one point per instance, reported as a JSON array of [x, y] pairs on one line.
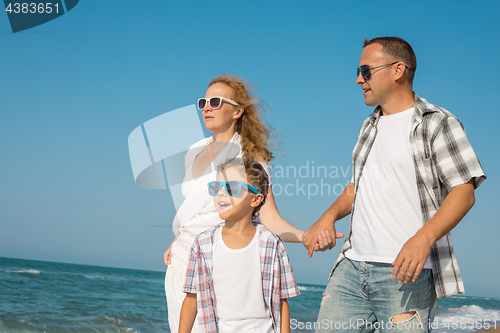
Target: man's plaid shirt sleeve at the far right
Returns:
[[455, 158]]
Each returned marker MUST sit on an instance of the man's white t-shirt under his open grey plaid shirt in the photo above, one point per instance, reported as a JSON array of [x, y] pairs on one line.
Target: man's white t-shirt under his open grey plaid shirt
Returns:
[[387, 209]]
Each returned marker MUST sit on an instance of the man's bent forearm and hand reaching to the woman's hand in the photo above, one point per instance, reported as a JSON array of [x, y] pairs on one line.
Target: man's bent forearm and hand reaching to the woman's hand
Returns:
[[338, 210]]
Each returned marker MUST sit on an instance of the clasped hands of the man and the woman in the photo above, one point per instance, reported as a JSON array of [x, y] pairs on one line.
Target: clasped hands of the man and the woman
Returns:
[[318, 236]]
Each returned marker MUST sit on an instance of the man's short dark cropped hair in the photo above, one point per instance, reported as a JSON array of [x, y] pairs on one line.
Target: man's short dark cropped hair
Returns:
[[397, 49]]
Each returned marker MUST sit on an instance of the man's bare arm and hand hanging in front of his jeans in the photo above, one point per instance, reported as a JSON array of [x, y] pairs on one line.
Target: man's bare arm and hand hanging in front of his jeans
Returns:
[[415, 252]]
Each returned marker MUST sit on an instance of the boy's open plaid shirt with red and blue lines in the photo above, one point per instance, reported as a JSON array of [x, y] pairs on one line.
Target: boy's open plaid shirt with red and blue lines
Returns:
[[277, 276]]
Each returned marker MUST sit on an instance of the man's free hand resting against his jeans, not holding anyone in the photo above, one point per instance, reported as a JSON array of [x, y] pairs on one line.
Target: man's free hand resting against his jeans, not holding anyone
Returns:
[[411, 259]]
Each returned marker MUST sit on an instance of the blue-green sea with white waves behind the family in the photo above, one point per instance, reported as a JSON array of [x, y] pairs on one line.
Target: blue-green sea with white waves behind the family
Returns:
[[40, 296]]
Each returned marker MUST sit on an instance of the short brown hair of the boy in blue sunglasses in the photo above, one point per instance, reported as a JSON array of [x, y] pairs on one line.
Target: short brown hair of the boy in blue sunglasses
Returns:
[[255, 174]]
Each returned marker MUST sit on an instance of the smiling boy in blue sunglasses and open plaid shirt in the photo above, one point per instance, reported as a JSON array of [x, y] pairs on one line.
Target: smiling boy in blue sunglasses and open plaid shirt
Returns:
[[239, 275]]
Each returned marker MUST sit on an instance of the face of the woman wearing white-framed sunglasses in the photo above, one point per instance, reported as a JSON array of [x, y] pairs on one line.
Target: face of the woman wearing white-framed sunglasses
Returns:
[[223, 119]]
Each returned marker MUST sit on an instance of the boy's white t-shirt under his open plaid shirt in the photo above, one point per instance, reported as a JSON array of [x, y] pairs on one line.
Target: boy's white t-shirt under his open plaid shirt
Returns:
[[237, 282]]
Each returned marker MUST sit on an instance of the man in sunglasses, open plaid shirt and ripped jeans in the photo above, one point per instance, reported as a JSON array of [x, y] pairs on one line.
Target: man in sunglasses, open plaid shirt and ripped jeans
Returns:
[[414, 175]]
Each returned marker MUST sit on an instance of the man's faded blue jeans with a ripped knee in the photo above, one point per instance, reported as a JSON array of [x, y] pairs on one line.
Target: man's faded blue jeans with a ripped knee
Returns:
[[363, 296]]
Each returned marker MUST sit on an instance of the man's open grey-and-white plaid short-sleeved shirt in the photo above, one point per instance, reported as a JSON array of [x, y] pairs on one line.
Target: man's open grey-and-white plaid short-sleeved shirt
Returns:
[[443, 158]]
